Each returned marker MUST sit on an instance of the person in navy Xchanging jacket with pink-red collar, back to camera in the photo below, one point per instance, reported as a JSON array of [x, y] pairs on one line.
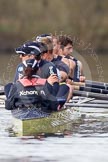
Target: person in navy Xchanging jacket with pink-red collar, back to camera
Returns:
[[31, 91]]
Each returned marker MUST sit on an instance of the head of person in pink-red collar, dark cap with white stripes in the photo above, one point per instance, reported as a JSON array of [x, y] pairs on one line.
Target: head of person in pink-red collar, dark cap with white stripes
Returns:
[[30, 68]]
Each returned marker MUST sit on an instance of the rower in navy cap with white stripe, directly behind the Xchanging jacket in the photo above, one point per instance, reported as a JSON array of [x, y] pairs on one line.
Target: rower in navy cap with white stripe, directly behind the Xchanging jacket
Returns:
[[46, 68]]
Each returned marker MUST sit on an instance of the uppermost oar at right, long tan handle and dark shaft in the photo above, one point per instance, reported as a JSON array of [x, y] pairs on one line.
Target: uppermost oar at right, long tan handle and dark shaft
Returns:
[[92, 84]]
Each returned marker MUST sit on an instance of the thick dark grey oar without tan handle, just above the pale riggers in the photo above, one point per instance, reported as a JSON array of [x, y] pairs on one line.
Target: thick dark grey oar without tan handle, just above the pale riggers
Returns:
[[90, 94]]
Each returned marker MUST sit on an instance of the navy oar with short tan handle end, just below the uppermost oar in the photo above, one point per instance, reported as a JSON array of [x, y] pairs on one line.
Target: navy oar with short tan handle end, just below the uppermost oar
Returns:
[[91, 89]]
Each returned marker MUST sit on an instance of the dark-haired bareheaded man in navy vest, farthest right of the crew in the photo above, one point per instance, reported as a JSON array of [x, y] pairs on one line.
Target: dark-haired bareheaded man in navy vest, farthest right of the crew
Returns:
[[64, 49]]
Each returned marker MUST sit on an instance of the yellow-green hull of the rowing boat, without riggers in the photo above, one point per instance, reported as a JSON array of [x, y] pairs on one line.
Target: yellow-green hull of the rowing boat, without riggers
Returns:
[[53, 123]]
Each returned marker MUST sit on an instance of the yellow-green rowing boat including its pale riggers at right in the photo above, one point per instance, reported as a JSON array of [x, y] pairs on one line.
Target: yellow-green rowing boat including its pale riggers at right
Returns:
[[59, 121]]
